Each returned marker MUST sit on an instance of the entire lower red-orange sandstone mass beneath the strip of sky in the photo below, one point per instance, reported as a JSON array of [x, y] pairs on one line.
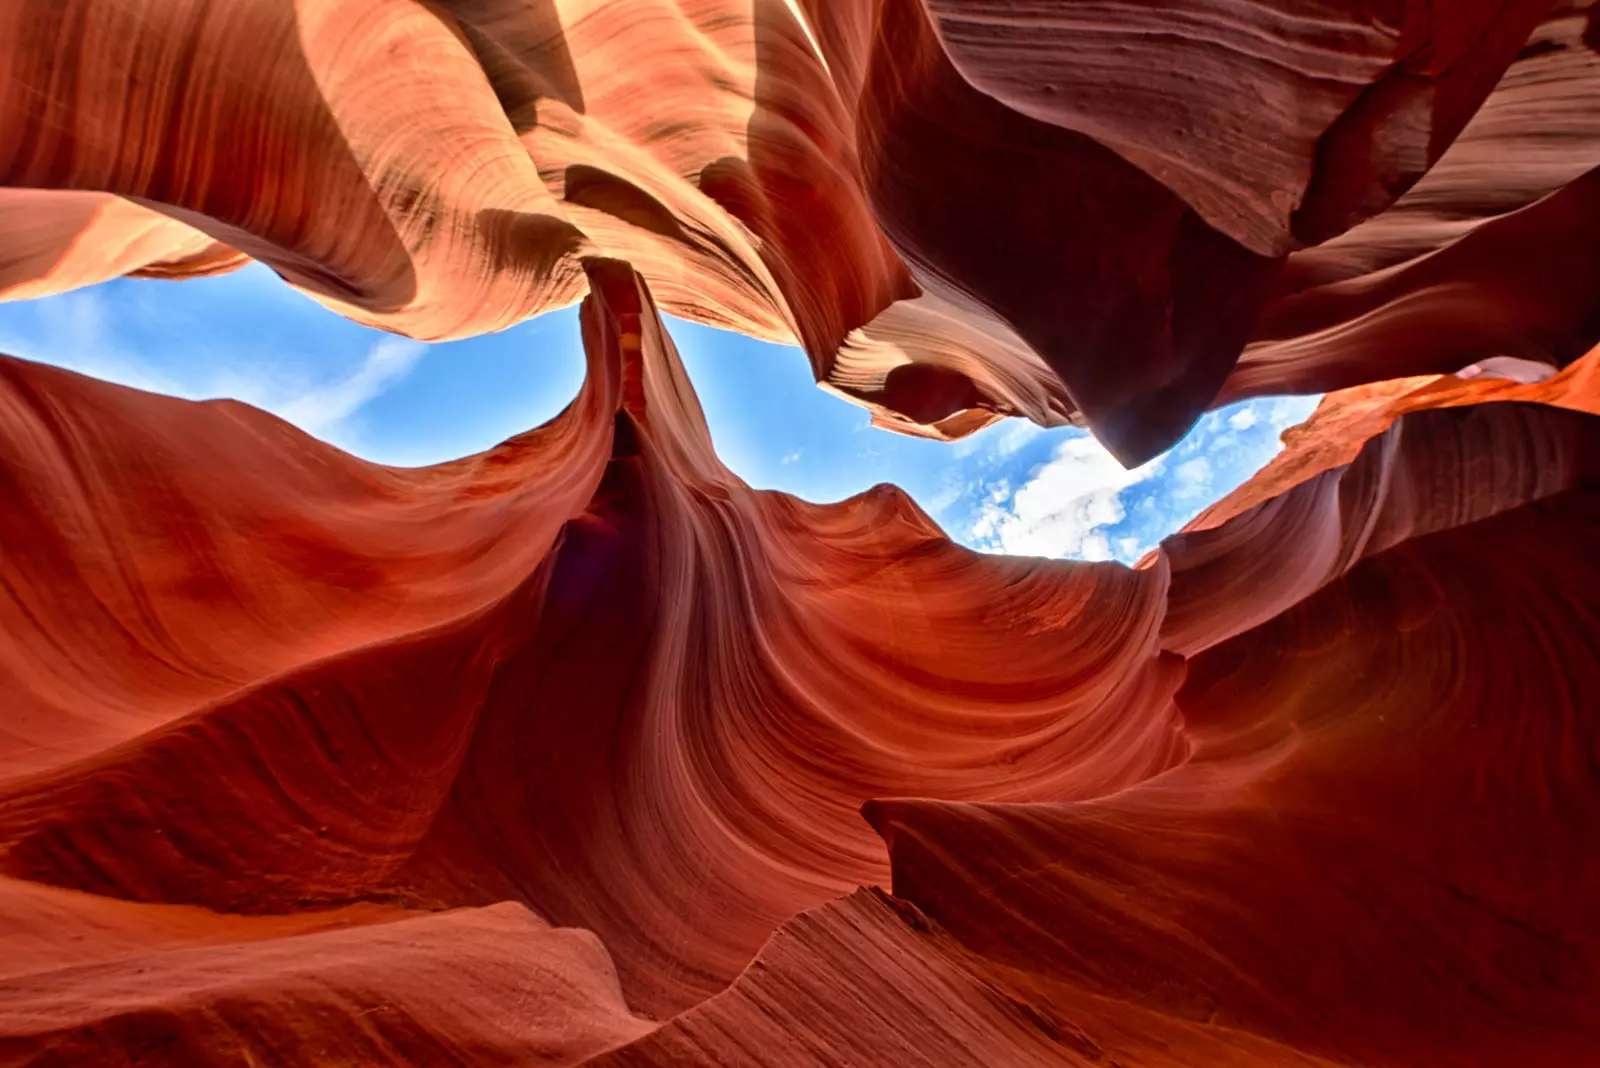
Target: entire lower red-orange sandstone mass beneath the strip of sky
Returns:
[[559, 754]]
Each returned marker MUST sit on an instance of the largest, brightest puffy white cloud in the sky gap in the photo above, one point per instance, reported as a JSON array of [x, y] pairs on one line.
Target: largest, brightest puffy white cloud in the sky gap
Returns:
[[1063, 506]]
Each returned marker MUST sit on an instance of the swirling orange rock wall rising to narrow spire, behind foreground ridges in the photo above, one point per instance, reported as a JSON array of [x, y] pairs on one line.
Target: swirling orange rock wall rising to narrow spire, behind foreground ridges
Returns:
[[583, 672]]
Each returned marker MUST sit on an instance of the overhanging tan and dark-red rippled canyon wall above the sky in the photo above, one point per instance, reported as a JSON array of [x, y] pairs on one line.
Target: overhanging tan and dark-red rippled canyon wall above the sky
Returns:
[[959, 209]]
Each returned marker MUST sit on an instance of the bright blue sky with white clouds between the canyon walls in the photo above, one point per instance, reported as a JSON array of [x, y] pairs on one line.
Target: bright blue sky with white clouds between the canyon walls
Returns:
[[1010, 488]]
